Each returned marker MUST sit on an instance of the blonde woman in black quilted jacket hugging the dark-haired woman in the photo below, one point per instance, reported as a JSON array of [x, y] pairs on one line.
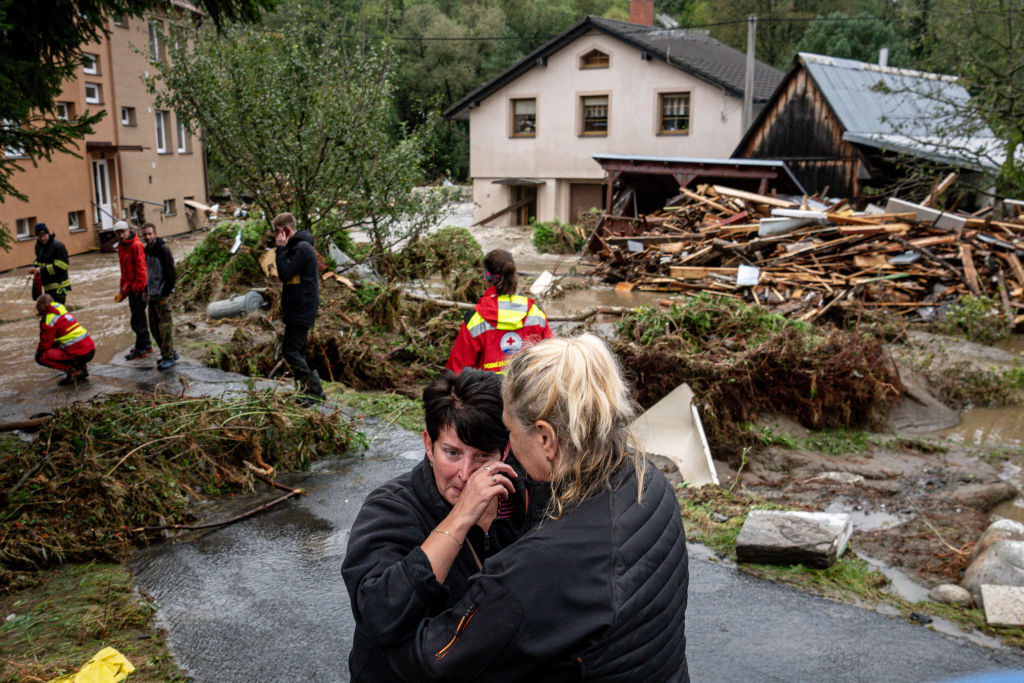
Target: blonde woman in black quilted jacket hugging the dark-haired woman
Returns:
[[596, 591]]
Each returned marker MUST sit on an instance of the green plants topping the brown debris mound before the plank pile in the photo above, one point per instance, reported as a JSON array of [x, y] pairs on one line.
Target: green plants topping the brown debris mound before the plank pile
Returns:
[[706, 319]]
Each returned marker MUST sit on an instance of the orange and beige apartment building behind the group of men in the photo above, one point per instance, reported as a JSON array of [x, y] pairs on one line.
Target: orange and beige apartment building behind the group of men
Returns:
[[141, 162]]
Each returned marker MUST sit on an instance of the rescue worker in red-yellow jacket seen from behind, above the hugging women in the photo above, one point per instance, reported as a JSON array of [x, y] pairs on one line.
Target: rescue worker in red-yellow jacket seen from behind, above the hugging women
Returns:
[[501, 324]]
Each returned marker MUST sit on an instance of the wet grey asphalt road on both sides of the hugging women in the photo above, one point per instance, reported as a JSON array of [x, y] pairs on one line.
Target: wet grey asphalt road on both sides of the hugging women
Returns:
[[264, 601]]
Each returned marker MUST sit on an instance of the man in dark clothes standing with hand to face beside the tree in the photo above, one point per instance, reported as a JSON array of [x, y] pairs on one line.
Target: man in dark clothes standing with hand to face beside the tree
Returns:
[[300, 300]]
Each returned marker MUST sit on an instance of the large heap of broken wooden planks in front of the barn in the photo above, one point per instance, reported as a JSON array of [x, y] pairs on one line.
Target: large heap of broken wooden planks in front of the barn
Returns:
[[802, 259]]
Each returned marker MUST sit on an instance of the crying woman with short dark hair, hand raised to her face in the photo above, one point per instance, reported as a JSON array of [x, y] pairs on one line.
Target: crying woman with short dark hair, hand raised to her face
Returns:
[[419, 538]]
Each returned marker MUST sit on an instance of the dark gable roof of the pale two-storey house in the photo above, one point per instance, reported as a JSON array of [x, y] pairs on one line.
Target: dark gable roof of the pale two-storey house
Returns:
[[688, 51]]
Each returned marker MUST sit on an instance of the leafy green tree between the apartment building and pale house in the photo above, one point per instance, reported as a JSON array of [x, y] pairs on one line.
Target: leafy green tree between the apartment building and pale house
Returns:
[[306, 123]]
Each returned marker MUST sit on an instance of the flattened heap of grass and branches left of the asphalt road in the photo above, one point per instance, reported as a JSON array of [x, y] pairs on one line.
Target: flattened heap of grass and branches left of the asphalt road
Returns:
[[140, 460]]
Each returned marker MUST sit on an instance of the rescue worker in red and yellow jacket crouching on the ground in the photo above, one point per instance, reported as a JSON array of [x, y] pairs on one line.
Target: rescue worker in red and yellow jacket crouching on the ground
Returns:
[[64, 344]]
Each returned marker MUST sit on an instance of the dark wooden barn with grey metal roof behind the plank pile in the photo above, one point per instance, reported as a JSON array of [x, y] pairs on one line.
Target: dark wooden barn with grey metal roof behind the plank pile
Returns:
[[844, 126]]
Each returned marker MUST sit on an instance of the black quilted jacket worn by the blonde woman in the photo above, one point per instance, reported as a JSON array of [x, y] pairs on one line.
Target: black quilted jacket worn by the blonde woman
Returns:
[[599, 595]]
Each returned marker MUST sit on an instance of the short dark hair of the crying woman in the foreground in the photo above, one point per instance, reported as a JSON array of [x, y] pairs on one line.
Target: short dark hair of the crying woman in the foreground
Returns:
[[472, 404]]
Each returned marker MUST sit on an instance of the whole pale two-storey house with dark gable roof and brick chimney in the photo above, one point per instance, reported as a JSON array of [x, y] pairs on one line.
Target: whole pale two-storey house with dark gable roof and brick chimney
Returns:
[[601, 88]]
